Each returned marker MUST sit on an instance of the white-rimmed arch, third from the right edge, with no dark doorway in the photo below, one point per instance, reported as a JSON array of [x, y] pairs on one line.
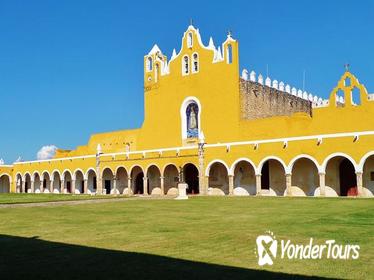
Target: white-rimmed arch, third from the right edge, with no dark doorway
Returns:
[[304, 178]]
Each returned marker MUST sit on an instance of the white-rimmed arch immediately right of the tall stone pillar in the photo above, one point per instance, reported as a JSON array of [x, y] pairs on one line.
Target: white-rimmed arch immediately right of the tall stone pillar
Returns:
[[218, 180]]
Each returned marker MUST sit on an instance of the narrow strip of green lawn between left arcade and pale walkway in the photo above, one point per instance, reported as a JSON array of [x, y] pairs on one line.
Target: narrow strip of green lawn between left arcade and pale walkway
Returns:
[[14, 198]]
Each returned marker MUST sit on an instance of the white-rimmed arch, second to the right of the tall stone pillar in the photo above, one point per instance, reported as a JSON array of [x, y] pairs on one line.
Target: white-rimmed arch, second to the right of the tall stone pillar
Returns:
[[244, 172]]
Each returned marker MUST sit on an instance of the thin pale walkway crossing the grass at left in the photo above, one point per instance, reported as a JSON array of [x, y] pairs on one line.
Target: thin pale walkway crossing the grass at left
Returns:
[[77, 202]]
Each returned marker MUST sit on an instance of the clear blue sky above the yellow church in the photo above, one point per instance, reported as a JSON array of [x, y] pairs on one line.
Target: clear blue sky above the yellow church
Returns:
[[72, 68]]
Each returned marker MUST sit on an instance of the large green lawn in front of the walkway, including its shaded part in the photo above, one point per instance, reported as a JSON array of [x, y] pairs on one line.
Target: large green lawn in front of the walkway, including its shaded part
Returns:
[[201, 238]]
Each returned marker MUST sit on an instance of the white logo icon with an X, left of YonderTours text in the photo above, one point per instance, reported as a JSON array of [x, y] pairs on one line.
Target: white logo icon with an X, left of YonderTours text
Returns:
[[266, 248]]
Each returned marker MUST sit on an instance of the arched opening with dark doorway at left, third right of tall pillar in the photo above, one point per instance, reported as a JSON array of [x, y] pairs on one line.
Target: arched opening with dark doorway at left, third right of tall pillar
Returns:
[[273, 179]]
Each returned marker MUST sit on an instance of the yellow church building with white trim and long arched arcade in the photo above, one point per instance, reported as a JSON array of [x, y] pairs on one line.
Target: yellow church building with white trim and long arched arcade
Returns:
[[221, 132]]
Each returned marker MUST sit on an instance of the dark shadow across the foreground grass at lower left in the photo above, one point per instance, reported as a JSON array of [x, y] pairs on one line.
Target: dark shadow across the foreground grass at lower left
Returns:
[[32, 258]]
